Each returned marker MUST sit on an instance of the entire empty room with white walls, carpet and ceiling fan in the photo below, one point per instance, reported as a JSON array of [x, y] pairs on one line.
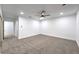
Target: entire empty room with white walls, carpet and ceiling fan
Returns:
[[40, 28]]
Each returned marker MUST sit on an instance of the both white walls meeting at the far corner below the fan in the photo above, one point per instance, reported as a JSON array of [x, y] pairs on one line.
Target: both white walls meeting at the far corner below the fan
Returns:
[[63, 27]]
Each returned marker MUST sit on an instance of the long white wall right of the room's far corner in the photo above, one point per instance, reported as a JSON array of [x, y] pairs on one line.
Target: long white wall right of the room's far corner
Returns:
[[63, 27]]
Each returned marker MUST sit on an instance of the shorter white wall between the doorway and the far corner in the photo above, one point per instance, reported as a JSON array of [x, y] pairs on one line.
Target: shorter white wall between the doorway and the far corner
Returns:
[[28, 27]]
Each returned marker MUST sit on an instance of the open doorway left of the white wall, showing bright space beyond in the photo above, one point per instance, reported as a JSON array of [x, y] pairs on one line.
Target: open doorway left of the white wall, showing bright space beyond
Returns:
[[10, 28]]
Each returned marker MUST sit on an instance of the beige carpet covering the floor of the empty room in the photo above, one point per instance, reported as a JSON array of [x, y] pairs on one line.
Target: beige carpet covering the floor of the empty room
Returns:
[[39, 44]]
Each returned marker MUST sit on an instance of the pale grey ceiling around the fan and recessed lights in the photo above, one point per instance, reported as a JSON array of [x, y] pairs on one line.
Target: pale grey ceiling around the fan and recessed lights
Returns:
[[33, 10]]
